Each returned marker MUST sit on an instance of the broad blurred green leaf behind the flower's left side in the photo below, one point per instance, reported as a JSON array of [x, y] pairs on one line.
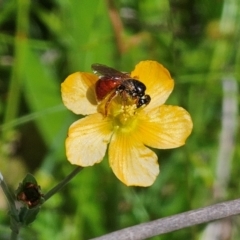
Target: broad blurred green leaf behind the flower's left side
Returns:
[[42, 91]]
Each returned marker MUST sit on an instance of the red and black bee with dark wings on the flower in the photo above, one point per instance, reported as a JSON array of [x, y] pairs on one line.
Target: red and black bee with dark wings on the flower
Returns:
[[113, 82]]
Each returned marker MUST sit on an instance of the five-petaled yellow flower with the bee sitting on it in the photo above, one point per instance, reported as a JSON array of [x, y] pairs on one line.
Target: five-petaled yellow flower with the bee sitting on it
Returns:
[[126, 128]]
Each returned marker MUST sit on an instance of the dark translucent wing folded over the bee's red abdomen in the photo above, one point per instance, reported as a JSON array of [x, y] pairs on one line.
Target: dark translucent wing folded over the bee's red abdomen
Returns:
[[104, 70]]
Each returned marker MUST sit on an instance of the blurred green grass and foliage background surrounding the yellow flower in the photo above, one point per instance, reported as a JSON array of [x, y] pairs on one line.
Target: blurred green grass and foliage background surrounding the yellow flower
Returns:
[[41, 42]]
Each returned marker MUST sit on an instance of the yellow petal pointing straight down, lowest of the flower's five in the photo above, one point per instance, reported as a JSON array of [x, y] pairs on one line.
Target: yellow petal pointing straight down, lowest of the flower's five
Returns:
[[132, 162]]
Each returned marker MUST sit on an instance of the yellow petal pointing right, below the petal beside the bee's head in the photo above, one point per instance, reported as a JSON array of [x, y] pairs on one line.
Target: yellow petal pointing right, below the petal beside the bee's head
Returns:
[[165, 127]]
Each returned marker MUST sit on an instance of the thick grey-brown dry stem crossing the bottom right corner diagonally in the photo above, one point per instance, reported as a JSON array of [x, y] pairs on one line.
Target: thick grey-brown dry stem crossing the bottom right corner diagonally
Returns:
[[176, 222]]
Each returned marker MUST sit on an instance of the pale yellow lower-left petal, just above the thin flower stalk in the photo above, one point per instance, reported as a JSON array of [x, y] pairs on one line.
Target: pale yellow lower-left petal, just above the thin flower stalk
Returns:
[[87, 140]]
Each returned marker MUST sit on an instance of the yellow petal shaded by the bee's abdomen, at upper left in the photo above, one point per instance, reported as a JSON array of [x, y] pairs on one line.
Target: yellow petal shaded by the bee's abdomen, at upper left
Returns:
[[78, 93]]
